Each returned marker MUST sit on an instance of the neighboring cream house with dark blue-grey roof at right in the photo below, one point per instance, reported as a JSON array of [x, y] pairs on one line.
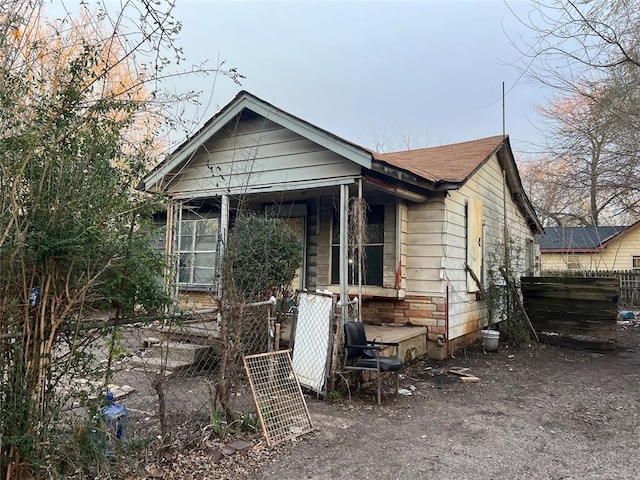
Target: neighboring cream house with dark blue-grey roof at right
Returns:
[[590, 248]]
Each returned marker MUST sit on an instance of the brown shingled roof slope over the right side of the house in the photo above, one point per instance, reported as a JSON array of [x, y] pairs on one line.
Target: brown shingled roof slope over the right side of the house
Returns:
[[446, 163]]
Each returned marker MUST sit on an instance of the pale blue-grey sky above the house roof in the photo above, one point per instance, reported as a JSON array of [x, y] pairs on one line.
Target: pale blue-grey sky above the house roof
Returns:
[[390, 75]]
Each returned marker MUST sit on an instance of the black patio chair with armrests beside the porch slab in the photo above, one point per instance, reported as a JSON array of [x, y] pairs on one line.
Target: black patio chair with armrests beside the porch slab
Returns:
[[361, 354]]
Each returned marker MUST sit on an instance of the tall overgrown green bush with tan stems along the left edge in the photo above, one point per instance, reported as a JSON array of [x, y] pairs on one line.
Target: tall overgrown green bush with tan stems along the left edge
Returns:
[[70, 235]]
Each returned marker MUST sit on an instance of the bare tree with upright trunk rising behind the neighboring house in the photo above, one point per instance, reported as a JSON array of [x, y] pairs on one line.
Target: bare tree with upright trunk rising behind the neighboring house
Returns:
[[584, 162]]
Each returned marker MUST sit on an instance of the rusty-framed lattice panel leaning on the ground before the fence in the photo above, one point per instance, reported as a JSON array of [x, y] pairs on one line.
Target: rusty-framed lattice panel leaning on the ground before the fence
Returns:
[[277, 396]]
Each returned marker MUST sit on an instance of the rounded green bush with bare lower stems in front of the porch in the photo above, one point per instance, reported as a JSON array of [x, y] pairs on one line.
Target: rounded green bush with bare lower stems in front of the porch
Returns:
[[260, 260]]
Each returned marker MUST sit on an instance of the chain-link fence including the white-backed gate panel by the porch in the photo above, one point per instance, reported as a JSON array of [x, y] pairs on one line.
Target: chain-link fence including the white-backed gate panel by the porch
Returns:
[[167, 371]]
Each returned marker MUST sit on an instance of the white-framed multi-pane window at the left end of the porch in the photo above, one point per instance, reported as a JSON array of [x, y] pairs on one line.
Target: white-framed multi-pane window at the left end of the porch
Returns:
[[197, 245]]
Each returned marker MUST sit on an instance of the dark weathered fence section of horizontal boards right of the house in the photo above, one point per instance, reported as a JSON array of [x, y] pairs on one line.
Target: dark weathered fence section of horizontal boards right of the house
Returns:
[[573, 311]]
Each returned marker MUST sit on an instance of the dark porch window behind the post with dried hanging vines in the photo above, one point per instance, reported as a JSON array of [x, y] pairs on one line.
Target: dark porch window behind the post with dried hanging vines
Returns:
[[374, 250]]
